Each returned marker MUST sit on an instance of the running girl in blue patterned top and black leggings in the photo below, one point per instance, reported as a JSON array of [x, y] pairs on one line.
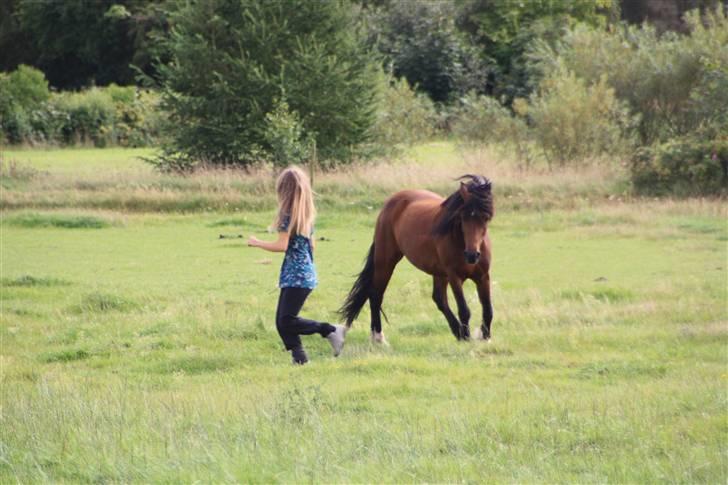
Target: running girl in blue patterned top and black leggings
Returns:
[[296, 214]]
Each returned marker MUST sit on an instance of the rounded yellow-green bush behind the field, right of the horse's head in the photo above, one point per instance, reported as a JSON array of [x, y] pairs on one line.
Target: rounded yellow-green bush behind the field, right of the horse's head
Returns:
[[572, 120]]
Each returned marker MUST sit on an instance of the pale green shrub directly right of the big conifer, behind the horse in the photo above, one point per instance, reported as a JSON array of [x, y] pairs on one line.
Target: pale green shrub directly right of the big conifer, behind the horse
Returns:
[[404, 117]]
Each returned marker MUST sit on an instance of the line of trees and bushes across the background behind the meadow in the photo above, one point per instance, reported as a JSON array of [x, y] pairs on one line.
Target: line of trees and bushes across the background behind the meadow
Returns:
[[245, 80]]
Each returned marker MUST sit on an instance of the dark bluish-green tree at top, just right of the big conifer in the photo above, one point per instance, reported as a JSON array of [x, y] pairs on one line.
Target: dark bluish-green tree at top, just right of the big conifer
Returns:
[[423, 45]]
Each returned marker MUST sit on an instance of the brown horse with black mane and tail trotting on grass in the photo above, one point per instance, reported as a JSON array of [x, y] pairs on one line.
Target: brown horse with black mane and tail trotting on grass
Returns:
[[445, 238]]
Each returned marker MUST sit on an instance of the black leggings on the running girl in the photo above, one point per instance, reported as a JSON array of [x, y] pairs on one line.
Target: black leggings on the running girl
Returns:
[[290, 325]]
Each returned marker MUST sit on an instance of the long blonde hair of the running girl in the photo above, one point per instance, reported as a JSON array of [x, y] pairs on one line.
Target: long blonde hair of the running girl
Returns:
[[295, 200]]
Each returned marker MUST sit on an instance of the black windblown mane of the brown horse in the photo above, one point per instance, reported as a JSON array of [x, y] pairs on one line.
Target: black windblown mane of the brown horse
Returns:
[[480, 204]]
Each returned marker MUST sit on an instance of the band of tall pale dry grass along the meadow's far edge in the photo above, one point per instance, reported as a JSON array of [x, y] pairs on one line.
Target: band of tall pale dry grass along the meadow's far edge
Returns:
[[434, 167]]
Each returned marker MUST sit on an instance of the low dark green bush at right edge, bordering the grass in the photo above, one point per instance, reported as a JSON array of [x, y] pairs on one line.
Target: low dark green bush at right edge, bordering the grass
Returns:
[[684, 166]]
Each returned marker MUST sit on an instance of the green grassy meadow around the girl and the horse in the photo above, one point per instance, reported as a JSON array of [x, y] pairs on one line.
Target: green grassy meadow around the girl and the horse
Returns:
[[139, 346]]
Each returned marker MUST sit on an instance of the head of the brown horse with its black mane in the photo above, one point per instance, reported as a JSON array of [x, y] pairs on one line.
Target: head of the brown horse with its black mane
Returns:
[[468, 211]]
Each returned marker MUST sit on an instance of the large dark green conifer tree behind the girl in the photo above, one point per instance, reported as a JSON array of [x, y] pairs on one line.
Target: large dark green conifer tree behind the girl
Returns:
[[233, 59]]
